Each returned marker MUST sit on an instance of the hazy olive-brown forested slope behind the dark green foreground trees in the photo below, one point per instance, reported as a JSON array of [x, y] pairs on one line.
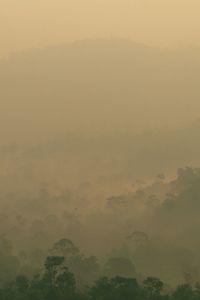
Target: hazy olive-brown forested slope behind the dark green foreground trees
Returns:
[[150, 231]]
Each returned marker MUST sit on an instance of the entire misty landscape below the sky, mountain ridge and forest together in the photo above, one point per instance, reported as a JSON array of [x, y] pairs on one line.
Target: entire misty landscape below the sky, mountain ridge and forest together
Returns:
[[100, 172]]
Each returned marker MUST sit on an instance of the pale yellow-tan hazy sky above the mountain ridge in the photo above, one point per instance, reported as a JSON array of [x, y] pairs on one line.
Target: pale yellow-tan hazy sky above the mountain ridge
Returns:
[[38, 23]]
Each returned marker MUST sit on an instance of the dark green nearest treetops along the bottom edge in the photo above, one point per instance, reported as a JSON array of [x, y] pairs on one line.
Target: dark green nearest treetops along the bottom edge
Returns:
[[58, 283]]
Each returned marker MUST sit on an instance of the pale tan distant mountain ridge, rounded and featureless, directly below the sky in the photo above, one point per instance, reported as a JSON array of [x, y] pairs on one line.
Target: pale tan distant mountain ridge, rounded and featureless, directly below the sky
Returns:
[[104, 84]]
